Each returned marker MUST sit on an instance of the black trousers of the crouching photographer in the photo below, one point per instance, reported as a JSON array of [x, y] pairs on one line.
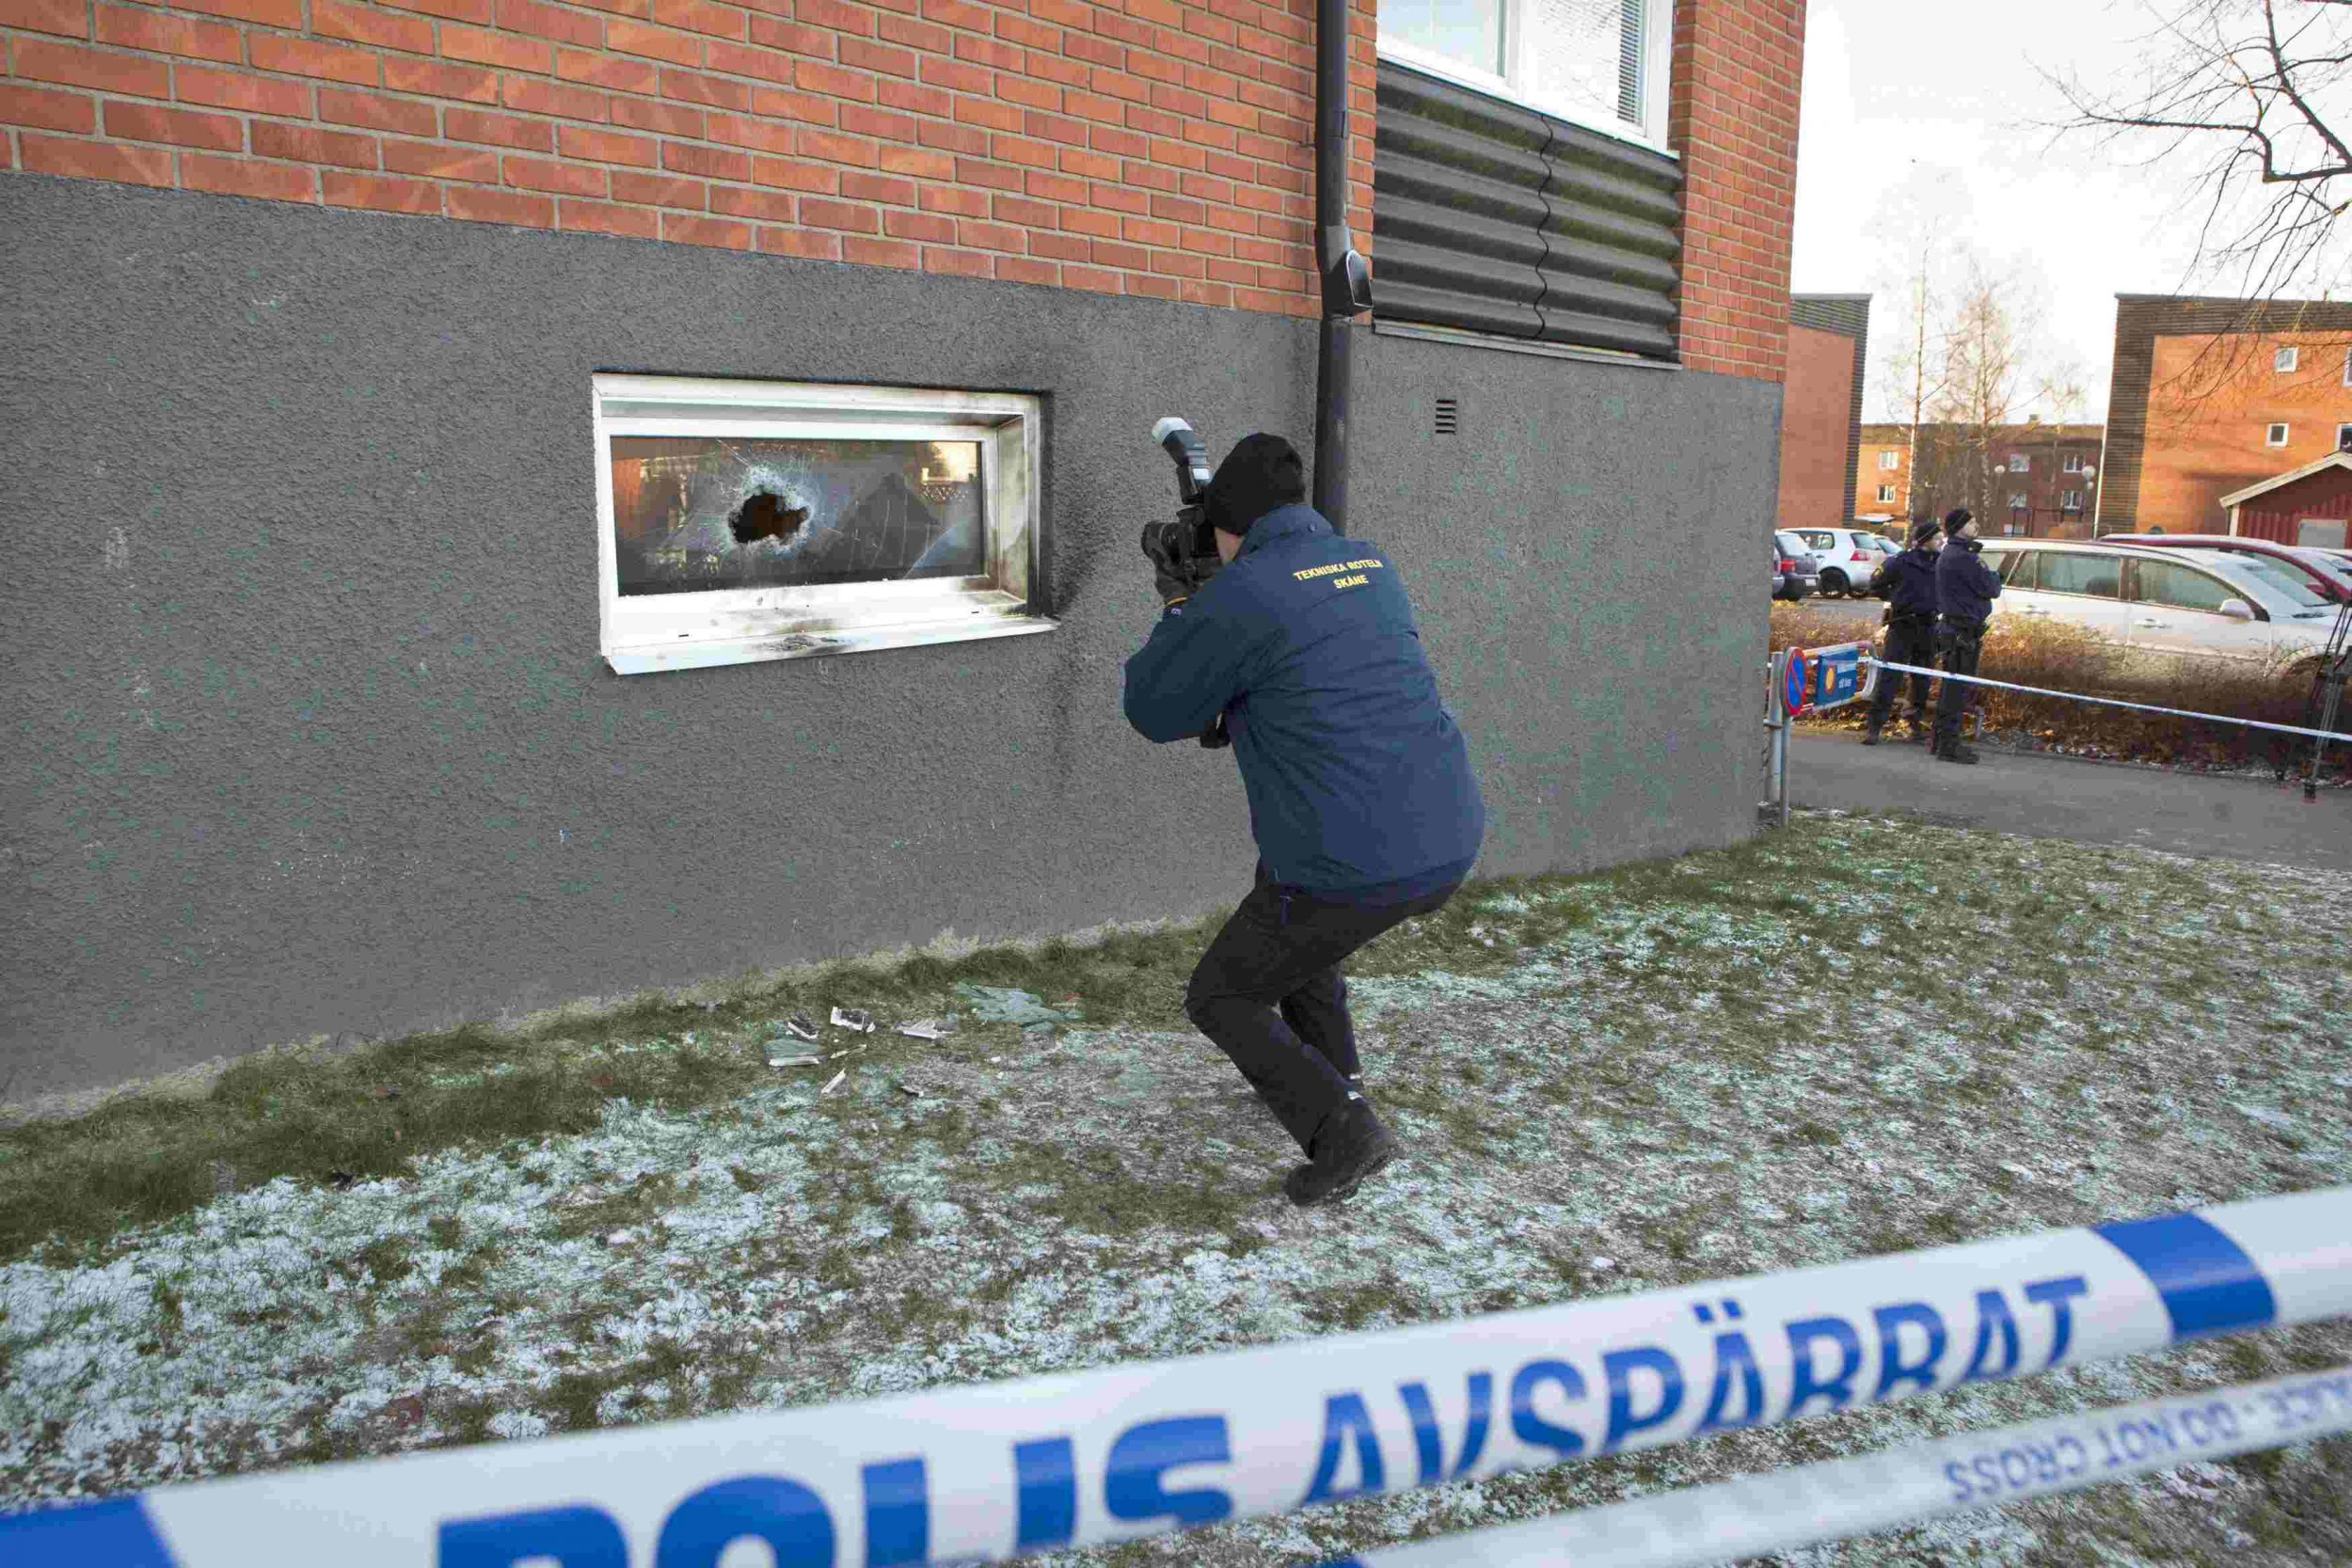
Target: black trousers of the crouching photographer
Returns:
[[1274, 1000]]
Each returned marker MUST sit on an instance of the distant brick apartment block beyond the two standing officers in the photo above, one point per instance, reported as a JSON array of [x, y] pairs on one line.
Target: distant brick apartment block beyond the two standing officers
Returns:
[[2043, 476]]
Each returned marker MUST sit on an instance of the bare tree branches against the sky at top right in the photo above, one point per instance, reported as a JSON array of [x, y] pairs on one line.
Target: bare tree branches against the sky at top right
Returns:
[[2252, 102]]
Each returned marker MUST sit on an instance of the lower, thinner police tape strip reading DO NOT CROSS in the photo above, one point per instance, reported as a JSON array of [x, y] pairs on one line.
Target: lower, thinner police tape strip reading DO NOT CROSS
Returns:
[[1883, 1492]]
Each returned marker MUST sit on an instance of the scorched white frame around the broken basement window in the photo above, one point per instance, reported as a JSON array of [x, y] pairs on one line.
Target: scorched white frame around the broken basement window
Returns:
[[688, 631]]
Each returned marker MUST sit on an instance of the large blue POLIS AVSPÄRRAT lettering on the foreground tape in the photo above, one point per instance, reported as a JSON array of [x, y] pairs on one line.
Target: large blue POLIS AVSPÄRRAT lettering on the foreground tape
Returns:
[[1165, 1473]]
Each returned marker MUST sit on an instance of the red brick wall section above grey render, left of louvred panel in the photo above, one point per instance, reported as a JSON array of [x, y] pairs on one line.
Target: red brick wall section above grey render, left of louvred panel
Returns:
[[1135, 147]]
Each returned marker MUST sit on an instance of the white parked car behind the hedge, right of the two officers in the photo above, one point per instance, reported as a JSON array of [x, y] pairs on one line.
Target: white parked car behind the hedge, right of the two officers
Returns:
[[2160, 601]]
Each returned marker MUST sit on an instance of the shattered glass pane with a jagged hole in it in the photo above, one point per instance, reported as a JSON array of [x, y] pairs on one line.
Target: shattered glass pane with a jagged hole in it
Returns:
[[697, 514]]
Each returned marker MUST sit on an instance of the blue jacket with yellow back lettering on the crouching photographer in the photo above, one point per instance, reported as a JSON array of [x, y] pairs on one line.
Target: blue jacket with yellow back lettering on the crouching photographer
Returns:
[[1358, 777]]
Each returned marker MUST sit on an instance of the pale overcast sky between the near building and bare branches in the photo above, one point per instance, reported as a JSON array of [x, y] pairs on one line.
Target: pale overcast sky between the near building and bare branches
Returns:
[[1911, 105]]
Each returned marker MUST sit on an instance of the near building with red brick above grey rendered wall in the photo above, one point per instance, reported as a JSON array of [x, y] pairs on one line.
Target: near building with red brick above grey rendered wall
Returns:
[[455, 443]]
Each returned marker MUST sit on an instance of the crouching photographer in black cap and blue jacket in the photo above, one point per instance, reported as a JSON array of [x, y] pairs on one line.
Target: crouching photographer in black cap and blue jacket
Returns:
[[1358, 779]]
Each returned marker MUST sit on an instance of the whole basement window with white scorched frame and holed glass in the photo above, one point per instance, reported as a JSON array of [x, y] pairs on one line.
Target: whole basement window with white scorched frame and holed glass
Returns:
[[754, 521]]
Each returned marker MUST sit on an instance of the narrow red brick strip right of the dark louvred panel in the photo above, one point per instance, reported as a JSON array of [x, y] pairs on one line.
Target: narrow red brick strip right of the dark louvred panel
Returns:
[[1735, 121]]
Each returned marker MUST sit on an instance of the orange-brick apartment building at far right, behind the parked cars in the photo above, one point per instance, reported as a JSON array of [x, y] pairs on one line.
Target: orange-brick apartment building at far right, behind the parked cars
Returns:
[[2212, 396]]
